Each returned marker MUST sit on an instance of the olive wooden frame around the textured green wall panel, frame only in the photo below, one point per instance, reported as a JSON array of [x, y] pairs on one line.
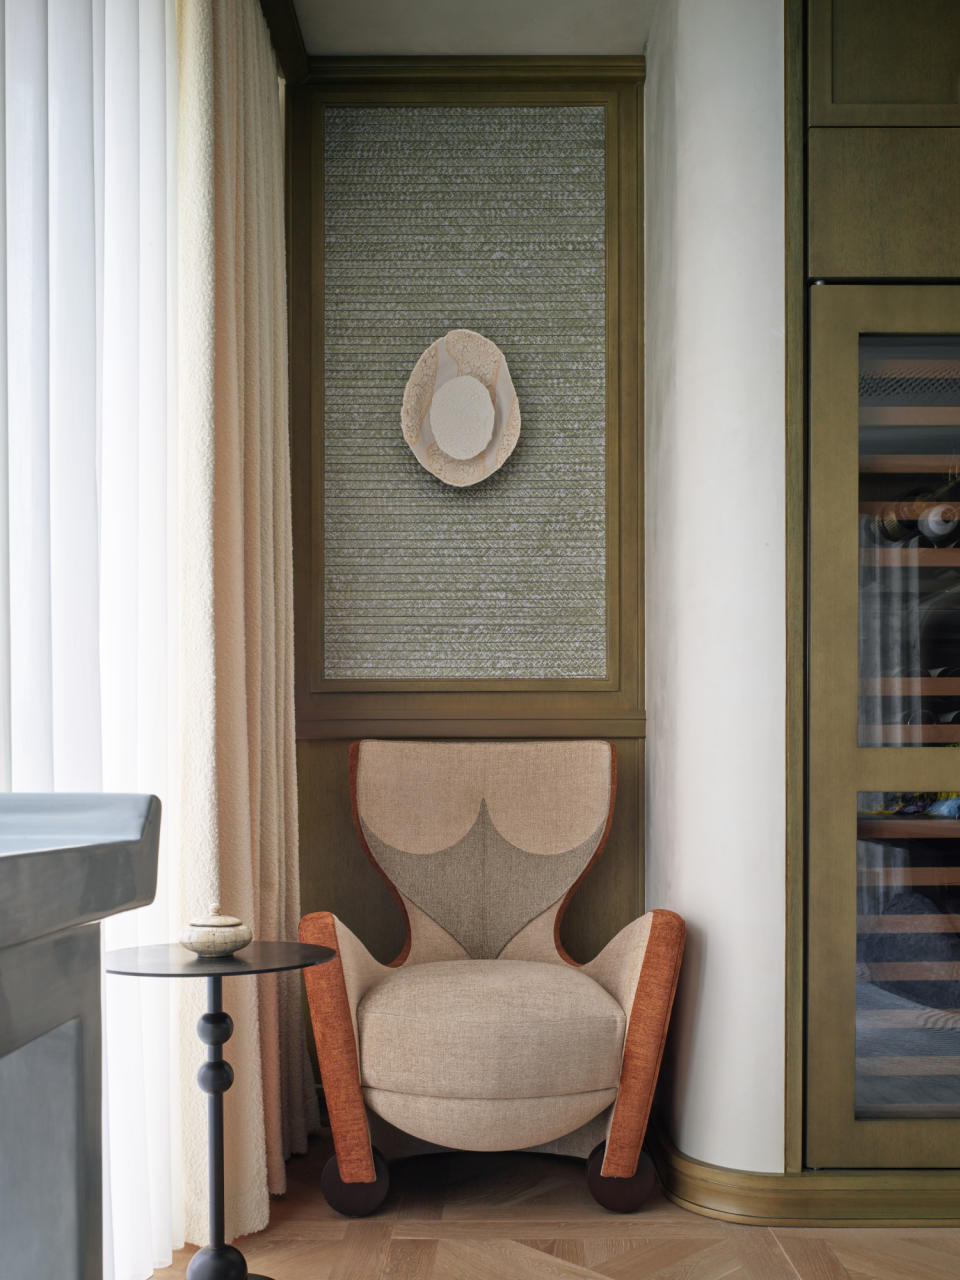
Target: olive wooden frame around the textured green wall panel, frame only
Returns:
[[522, 708]]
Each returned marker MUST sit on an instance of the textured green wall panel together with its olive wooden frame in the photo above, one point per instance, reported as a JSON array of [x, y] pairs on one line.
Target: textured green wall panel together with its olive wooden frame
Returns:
[[423, 204]]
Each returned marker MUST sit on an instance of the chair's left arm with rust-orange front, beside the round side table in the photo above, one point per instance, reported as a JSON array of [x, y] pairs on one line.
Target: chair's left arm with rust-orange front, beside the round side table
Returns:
[[335, 991]]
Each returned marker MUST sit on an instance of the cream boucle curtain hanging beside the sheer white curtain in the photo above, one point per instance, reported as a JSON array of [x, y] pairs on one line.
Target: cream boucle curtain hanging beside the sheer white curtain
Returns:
[[240, 803]]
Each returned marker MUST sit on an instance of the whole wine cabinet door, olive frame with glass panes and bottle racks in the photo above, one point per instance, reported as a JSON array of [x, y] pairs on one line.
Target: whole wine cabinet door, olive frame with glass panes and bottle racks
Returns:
[[885, 826]]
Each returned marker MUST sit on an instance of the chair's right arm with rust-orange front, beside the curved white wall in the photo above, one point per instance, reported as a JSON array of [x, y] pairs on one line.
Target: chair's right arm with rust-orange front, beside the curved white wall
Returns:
[[639, 968]]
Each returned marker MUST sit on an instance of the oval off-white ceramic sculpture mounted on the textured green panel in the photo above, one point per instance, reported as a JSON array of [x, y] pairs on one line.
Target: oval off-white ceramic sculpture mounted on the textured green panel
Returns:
[[461, 415]]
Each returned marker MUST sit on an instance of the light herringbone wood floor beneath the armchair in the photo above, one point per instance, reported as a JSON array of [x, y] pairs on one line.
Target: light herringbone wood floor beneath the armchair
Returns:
[[531, 1218]]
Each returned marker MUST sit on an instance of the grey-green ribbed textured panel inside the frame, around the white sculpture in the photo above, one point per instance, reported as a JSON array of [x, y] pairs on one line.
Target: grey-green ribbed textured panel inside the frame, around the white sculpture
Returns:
[[488, 220]]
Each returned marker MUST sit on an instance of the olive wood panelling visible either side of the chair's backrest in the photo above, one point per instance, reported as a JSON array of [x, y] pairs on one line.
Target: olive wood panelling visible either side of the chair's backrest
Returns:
[[337, 876]]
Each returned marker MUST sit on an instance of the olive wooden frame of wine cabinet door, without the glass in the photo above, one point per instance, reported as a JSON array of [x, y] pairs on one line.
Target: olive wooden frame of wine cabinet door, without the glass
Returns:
[[838, 769]]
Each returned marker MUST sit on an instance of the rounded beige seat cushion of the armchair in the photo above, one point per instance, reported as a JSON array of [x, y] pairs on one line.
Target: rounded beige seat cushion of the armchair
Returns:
[[490, 1030]]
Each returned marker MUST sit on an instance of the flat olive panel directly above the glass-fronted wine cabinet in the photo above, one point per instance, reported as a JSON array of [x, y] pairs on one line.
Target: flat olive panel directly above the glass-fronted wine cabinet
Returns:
[[884, 203]]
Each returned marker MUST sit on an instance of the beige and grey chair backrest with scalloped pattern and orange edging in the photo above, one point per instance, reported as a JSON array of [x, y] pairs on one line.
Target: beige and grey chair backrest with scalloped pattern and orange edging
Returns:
[[483, 843]]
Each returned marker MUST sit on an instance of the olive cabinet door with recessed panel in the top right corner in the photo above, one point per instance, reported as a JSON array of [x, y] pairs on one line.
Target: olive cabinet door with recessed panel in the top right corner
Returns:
[[885, 62]]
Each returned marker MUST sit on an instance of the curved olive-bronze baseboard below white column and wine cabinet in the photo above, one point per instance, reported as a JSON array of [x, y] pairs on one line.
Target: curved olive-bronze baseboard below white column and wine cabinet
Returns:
[[845, 1197]]
